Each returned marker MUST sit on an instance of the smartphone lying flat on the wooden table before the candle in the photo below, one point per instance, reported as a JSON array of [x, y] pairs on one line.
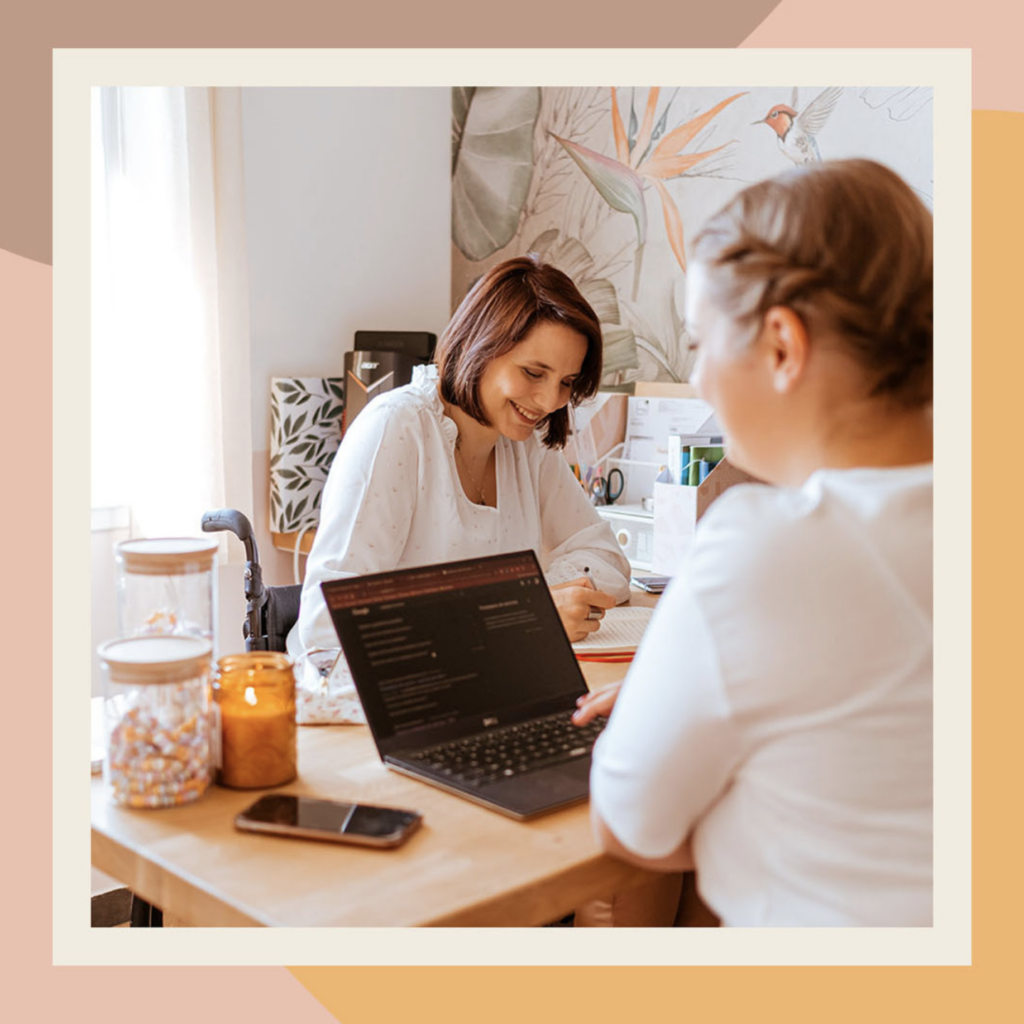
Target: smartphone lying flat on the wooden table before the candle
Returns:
[[309, 818]]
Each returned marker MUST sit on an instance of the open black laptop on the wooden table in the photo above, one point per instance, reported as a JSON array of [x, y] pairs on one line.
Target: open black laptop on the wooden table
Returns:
[[468, 680]]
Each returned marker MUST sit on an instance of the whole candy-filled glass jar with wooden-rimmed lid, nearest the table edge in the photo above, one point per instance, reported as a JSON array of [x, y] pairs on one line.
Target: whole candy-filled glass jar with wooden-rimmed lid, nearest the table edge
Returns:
[[158, 724]]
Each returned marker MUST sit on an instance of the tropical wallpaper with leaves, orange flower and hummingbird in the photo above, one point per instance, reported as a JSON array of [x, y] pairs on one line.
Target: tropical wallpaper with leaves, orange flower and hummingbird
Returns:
[[608, 184]]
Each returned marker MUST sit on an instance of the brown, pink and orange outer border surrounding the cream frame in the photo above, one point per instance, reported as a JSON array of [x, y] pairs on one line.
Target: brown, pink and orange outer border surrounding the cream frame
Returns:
[[41, 993]]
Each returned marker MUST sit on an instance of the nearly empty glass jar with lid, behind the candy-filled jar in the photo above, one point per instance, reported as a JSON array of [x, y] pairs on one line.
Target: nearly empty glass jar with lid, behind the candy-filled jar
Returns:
[[167, 586]]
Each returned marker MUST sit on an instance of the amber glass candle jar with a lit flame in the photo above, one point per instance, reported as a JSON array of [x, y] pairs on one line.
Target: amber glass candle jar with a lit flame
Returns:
[[254, 701]]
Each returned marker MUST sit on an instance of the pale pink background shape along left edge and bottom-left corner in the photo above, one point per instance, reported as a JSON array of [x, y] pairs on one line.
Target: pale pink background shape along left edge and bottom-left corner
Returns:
[[35, 991]]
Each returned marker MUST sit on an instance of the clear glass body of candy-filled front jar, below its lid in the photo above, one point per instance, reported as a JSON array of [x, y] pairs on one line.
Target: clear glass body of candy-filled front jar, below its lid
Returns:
[[159, 742]]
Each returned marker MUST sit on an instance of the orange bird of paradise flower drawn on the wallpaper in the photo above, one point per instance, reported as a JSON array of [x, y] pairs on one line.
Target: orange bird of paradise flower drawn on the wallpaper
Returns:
[[651, 160]]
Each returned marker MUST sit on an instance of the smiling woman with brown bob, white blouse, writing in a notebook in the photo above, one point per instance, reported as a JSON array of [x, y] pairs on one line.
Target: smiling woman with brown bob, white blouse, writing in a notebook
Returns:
[[467, 463]]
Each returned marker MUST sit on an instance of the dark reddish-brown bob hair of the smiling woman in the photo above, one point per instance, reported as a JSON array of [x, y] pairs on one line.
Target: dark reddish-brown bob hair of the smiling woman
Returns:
[[497, 314]]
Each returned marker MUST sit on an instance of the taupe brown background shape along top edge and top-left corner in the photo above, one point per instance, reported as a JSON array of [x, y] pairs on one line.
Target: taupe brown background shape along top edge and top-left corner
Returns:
[[26, 80]]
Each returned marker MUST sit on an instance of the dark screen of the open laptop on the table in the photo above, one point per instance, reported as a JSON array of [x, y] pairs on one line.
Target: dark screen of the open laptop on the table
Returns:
[[444, 645]]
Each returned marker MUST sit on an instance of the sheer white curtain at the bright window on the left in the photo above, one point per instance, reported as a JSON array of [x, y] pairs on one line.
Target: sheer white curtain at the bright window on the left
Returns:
[[172, 383]]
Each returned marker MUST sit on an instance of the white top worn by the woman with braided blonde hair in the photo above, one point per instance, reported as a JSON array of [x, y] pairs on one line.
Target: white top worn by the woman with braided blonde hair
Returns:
[[780, 708]]
